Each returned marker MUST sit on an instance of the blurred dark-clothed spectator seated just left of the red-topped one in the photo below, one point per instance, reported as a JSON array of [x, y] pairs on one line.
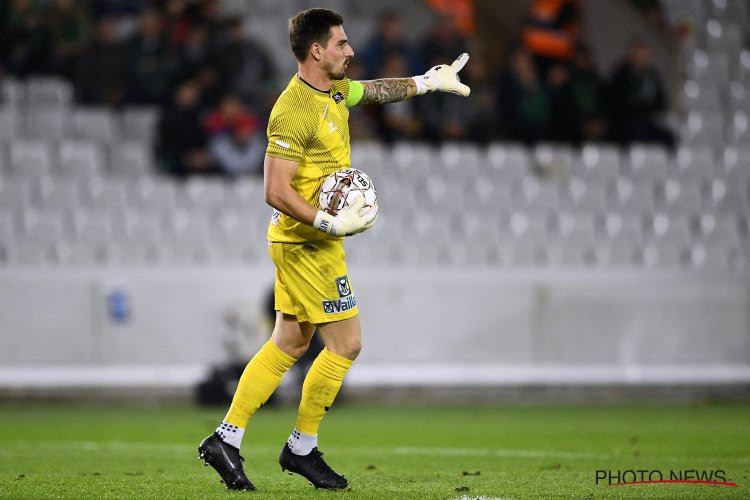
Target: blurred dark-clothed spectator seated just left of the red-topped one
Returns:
[[182, 141]]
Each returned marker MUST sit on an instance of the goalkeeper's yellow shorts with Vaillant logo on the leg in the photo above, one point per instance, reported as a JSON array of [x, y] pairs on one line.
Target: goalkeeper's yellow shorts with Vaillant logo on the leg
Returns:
[[312, 281]]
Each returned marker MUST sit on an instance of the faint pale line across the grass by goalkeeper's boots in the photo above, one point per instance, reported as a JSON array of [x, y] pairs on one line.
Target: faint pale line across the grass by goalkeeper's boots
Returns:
[[399, 450]]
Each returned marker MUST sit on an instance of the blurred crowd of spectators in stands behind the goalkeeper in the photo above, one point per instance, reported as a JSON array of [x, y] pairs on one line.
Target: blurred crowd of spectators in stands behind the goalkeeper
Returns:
[[215, 82]]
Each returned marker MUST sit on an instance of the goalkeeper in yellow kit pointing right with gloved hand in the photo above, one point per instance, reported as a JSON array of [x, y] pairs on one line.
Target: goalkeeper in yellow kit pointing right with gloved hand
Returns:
[[308, 139]]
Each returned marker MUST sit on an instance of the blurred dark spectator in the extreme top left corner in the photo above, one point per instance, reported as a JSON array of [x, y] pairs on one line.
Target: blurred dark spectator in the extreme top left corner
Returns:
[[23, 42]]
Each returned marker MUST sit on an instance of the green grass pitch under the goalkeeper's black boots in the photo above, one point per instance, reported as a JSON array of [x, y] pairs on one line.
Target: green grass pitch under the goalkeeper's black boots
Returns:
[[387, 452]]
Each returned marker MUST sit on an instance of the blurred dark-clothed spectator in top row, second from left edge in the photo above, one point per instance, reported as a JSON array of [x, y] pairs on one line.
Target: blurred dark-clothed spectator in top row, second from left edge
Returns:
[[68, 29]]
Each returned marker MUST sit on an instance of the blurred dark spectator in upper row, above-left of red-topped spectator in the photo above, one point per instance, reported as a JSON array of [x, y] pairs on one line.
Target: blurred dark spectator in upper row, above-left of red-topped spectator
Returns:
[[152, 62]]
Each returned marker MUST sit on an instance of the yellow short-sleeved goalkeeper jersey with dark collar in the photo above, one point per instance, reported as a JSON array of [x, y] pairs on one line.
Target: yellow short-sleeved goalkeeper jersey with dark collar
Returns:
[[311, 127]]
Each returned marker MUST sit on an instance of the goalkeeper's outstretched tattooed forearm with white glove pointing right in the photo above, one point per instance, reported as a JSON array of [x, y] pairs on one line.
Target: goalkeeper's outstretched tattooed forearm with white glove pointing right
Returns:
[[442, 78]]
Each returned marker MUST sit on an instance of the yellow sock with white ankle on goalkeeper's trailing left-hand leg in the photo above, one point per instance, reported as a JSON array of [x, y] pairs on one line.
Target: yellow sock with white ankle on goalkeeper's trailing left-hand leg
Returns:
[[260, 378]]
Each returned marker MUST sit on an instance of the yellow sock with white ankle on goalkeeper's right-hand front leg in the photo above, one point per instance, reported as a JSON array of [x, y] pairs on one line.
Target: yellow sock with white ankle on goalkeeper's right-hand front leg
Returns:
[[322, 383]]
